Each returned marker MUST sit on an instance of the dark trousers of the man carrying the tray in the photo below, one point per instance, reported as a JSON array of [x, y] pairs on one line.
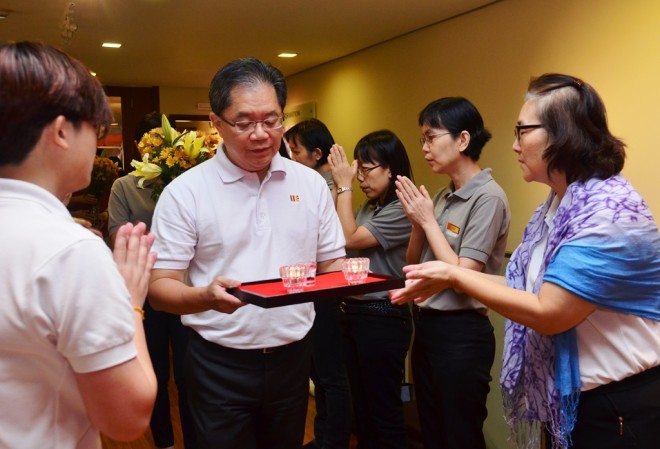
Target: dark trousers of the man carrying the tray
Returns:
[[248, 399]]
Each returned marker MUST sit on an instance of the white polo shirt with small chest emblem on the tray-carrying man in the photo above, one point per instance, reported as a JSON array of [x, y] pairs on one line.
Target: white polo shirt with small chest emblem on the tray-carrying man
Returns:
[[218, 219]]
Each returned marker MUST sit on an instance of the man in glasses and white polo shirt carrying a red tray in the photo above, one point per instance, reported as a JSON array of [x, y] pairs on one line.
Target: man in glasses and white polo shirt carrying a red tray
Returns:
[[237, 218]]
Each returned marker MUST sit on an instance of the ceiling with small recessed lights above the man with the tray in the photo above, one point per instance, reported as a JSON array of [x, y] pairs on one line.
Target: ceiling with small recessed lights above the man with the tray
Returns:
[[181, 43]]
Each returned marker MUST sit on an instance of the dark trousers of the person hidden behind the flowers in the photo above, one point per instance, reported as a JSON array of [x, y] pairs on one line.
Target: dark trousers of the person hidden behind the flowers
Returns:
[[164, 333]]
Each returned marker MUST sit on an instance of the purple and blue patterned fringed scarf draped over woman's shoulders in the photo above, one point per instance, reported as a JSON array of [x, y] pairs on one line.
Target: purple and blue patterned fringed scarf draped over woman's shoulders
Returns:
[[604, 247]]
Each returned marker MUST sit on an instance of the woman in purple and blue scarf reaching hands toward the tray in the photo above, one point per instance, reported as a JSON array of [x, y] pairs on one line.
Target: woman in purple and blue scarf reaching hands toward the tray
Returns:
[[582, 291]]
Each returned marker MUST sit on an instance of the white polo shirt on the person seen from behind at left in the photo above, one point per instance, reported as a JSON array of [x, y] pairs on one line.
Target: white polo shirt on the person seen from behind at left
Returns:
[[65, 309]]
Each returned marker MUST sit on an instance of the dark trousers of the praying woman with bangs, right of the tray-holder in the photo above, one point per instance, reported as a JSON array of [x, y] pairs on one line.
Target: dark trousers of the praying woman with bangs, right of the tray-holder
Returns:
[[375, 348]]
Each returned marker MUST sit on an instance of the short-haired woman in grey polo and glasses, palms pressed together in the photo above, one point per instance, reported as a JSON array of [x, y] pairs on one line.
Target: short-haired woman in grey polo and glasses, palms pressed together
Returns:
[[465, 224]]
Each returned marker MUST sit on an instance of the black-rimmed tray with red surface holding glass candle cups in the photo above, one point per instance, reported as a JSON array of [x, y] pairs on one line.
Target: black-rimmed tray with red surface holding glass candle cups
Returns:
[[271, 292]]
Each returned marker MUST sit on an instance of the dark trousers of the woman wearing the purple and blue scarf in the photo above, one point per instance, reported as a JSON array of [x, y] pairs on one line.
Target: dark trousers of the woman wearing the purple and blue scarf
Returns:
[[620, 415]]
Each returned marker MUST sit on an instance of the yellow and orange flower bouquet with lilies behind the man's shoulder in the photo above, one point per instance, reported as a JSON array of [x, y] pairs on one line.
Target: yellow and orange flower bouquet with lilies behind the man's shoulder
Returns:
[[166, 153]]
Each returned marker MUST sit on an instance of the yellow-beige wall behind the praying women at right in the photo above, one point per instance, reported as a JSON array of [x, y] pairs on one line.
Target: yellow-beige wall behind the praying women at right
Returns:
[[488, 56]]
